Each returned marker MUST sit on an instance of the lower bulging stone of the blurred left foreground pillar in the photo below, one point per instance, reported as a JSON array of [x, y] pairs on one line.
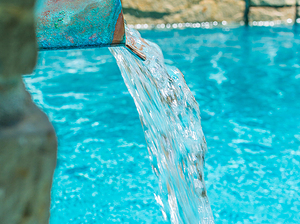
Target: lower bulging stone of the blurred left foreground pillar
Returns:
[[27, 158]]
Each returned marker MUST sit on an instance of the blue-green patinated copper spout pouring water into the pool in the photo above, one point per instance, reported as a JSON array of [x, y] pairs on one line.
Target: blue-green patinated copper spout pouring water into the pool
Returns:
[[70, 24]]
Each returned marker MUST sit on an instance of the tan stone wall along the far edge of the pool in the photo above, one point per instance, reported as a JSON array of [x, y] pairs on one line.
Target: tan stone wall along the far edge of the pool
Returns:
[[232, 11]]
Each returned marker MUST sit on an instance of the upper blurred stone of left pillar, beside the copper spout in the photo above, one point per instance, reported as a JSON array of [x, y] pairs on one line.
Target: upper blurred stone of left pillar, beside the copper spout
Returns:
[[17, 21]]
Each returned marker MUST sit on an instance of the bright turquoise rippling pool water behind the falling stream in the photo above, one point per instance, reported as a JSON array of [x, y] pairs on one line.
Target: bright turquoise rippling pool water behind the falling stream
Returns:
[[246, 81]]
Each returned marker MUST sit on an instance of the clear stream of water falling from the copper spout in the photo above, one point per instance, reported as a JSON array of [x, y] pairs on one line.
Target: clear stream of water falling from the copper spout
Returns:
[[170, 118]]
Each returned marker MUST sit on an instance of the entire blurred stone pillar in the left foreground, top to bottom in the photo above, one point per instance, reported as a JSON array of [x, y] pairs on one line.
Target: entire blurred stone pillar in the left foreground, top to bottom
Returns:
[[27, 139]]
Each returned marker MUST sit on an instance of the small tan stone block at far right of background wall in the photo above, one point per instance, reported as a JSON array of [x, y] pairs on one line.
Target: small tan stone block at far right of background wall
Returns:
[[271, 14]]
